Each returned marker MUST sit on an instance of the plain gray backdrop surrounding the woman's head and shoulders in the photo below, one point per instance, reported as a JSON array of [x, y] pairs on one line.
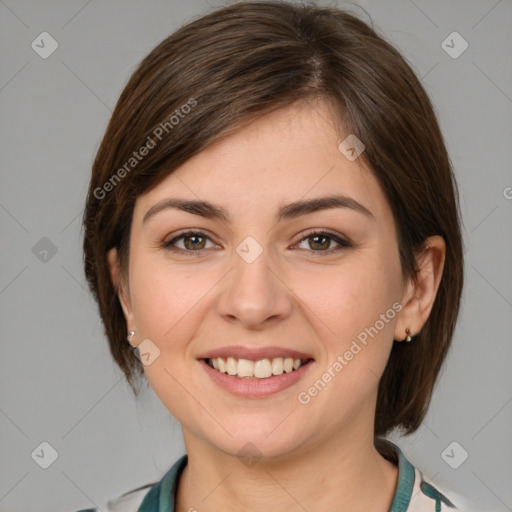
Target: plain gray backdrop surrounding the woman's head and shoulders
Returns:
[[57, 381]]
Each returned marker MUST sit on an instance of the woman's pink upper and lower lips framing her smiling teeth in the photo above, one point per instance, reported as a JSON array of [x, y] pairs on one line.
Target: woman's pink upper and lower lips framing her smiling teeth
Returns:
[[255, 387]]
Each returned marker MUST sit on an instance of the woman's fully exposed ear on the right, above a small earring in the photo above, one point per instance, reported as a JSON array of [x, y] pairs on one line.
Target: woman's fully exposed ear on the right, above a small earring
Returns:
[[420, 294]]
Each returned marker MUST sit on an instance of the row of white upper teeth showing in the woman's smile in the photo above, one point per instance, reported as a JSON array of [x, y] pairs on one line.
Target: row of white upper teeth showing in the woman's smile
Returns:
[[262, 369]]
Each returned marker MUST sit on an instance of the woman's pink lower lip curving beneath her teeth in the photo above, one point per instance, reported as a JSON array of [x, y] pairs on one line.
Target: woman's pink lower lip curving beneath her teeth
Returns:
[[255, 388]]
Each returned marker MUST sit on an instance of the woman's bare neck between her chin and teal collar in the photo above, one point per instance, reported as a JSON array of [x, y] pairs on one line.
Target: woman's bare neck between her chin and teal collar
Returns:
[[345, 473]]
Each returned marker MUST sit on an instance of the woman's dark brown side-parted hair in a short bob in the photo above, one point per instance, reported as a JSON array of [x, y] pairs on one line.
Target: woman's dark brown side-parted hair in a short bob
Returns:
[[239, 62]]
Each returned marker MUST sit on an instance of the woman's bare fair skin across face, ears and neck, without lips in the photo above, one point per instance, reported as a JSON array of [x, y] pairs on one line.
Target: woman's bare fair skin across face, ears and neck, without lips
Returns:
[[317, 456]]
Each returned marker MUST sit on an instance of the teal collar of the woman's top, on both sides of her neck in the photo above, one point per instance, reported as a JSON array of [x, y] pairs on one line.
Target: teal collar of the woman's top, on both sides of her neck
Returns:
[[162, 495]]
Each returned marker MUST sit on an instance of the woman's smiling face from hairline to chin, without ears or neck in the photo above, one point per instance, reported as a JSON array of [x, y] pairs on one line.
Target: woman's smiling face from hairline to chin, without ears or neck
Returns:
[[268, 282]]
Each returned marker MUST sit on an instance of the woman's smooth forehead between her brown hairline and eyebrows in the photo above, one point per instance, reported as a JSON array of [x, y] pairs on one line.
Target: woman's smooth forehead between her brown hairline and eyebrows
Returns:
[[287, 155]]
